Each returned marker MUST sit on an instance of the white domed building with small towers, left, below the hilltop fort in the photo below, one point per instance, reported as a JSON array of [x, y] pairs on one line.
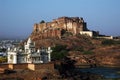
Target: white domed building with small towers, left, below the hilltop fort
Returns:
[[29, 55]]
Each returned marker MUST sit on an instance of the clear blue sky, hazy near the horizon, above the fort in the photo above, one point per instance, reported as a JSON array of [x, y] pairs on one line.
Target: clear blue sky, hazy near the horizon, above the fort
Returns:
[[17, 17]]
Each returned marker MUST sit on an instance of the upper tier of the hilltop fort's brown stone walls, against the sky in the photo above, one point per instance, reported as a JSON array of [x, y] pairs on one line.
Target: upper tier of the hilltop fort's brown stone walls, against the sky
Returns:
[[61, 23]]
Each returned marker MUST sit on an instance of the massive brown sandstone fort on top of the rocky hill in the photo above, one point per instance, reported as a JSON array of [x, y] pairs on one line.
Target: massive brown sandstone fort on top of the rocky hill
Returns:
[[54, 29]]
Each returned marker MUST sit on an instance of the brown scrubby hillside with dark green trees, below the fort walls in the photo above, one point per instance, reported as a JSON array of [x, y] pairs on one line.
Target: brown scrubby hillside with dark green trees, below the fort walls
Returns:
[[83, 49]]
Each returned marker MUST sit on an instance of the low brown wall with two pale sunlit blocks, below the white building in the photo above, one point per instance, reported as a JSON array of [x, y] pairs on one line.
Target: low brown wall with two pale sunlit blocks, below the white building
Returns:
[[30, 66]]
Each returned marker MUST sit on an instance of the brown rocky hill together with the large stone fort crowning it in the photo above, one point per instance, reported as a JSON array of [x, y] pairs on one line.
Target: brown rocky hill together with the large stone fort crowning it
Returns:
[[82, 48]]
